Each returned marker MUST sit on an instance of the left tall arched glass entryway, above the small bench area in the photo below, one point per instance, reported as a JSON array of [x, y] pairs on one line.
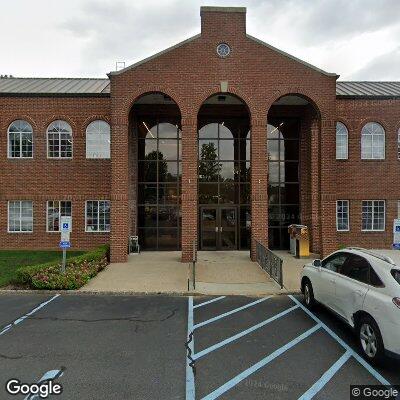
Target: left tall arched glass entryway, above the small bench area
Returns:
[[156, 152]]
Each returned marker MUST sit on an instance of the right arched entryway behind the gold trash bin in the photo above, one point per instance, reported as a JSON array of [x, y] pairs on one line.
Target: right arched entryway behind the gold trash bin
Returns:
[[293, 120]]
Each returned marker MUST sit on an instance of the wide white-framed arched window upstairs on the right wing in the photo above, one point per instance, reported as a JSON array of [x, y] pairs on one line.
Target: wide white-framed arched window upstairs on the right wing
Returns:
[[373, 142]]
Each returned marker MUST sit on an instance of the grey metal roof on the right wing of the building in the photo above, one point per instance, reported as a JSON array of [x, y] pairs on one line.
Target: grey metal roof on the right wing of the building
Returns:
[[367, 89]]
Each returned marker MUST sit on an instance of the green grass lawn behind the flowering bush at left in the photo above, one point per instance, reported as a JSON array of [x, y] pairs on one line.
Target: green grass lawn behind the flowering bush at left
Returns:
[[11, 260]]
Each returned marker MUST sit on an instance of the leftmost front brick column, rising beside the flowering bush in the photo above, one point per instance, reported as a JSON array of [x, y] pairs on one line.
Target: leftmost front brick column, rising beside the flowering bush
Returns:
[[119, 189]]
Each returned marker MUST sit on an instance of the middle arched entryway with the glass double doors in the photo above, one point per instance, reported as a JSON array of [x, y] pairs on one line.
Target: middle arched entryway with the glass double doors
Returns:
[[224, 174]]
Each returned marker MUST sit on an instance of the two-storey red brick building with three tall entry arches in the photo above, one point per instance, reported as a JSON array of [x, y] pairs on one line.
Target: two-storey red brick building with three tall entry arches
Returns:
[[222, 140]]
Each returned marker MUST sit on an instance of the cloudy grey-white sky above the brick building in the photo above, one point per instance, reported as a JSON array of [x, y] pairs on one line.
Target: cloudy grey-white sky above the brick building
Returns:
[[358, 39]]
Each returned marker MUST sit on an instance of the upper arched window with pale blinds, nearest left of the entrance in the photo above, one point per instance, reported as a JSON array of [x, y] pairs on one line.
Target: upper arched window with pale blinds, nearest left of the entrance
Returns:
[[98, 140]]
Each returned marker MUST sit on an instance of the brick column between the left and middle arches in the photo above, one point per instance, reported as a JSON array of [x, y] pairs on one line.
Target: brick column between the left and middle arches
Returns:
[[189, 187]]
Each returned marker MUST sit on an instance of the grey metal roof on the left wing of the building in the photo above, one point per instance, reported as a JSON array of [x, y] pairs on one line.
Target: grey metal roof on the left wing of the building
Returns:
[[54, 86]]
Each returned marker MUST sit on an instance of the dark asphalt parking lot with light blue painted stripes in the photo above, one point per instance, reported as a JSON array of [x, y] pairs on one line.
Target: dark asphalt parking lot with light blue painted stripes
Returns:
[[133, 347]]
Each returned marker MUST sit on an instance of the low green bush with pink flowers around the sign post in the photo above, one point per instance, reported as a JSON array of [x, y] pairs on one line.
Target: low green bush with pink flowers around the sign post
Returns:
[[79, 271]]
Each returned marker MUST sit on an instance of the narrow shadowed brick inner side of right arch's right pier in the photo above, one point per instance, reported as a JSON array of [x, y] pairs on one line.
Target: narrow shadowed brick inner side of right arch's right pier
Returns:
[[315, 185]]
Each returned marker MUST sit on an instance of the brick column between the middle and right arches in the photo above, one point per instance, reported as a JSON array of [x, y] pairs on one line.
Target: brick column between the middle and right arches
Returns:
[[259, 184]]
